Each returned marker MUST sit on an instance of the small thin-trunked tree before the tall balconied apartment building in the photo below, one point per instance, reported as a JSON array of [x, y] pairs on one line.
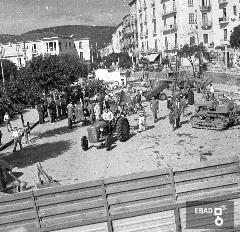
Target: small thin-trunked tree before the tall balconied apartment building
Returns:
[[191, 52]]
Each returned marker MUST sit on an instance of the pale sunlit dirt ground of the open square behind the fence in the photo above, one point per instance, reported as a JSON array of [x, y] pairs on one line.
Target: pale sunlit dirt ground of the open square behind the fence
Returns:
[[59, 149]]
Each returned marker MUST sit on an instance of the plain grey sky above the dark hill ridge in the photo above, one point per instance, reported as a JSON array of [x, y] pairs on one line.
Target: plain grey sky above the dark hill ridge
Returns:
[[20, 16]]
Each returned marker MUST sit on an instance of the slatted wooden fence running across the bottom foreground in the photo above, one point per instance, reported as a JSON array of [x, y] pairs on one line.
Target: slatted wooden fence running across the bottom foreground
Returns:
[[147, 201]]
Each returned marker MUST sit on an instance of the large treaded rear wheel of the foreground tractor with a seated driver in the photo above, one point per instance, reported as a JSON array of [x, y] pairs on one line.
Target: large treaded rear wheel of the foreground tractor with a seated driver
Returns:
[[122, 129]]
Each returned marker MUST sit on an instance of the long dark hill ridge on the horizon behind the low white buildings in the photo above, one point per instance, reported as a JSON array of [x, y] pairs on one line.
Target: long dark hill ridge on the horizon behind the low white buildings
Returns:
[[101, 35]]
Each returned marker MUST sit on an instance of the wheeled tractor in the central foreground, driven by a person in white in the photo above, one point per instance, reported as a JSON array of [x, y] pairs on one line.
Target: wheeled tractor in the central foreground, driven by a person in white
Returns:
[[101, 131]]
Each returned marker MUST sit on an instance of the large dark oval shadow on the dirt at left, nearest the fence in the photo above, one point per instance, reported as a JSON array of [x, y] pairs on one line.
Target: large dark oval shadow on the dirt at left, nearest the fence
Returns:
[[37, 153]]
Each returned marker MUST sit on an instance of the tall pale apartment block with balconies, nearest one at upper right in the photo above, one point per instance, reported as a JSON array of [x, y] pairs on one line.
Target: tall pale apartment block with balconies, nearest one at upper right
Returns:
[[166, 25]]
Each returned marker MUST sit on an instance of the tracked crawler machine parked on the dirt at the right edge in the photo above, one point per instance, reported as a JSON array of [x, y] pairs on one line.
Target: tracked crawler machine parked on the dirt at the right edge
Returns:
[[213, 115]]
